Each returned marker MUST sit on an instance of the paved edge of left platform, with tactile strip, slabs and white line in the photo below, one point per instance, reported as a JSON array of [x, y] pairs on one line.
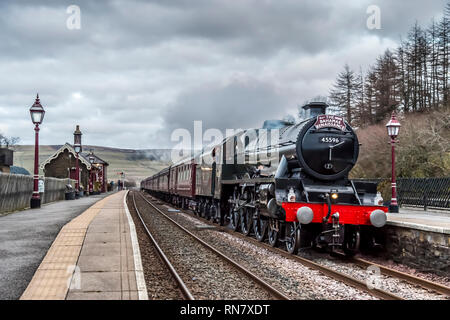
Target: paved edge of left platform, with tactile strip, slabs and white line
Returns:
[[94, 257]]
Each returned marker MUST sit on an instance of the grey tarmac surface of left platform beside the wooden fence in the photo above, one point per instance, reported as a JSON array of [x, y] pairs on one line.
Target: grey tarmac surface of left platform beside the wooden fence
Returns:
[[26, 236]]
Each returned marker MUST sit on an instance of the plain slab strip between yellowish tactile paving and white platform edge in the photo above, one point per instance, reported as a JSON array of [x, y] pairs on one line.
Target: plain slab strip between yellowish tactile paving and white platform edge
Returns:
[[107, 268]]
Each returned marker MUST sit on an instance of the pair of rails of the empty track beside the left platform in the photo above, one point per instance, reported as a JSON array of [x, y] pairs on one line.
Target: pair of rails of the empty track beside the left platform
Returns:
[[186, 292]]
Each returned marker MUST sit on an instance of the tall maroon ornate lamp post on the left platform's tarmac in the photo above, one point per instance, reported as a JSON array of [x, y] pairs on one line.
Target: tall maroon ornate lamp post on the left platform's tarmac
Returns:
[[37, 113]]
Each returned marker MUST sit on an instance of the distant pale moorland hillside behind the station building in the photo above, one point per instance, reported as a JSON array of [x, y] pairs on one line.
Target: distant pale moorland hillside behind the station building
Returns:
[[137, 164]]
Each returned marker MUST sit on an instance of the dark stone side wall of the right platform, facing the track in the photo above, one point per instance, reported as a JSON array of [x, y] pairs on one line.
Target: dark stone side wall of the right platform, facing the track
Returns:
[[423, 250]]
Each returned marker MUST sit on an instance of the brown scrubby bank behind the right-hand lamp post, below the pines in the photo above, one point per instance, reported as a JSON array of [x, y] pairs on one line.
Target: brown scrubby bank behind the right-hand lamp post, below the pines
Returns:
[[423, 148]]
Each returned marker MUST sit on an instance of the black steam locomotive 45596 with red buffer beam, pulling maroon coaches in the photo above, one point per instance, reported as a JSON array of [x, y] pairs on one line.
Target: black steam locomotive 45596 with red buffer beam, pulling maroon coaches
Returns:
[[293, 189]]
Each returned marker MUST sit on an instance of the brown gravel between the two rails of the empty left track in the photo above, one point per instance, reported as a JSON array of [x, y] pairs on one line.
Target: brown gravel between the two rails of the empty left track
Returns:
[[204, 273]]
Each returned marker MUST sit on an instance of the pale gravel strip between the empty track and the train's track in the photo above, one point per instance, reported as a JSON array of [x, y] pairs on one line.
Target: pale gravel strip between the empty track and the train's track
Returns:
[[291, 277]]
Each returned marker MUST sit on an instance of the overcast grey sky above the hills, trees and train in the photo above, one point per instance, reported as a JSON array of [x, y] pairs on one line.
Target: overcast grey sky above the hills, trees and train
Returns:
[[136, 70]]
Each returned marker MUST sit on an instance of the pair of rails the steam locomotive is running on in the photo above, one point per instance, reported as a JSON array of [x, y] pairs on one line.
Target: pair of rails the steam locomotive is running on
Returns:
[[379, 293]]
